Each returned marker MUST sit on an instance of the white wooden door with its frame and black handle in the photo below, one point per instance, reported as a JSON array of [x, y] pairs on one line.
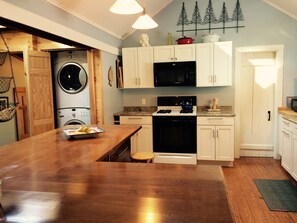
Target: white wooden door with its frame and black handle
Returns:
[[258, 94]]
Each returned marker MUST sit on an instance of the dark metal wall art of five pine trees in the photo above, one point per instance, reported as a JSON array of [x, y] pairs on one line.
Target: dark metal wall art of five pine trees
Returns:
[[210, 18]]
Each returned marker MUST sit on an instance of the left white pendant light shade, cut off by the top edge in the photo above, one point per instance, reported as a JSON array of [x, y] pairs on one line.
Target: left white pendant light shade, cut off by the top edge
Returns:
[[126, 7]]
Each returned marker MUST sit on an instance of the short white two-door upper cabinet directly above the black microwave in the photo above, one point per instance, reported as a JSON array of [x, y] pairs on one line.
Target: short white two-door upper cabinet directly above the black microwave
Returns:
[[173, 53]]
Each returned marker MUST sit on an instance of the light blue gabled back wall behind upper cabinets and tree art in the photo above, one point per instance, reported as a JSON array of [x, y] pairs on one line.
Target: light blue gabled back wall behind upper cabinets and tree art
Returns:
[[264, 25]]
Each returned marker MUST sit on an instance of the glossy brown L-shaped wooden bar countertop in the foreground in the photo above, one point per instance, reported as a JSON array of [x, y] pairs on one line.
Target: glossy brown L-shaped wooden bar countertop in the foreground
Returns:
[[47, 178]]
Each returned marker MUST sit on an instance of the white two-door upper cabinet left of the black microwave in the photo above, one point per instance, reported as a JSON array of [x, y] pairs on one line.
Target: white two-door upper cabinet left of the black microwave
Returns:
[[138, 67]]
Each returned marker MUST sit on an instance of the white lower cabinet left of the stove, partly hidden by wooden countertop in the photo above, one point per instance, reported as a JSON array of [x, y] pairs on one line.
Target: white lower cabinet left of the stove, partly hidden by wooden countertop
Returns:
[[142, 141]]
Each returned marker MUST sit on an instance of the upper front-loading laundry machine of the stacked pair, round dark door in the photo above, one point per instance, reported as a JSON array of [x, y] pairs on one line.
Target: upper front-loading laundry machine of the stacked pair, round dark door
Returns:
[[71, 79]]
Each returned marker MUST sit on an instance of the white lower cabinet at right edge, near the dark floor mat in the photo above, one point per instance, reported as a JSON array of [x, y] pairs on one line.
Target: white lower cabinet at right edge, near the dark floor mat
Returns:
[[288, 145]]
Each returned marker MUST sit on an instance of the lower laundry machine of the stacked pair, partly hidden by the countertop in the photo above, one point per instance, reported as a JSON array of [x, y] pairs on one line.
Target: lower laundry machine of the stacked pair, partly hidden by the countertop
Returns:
[[73, 116]]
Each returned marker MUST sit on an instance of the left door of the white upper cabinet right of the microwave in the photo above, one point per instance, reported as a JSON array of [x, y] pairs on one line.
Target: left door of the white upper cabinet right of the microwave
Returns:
[[204, 67]]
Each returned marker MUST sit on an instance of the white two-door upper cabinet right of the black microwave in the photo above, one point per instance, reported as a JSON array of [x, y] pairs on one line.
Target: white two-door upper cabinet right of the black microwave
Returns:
[[214, 64]]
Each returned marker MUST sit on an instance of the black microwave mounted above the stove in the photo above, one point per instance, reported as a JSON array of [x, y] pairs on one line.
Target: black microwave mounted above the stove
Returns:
[[175, 74]]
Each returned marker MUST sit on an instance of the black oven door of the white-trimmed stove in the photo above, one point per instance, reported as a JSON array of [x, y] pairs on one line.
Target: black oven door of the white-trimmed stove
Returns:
[[175, 134]]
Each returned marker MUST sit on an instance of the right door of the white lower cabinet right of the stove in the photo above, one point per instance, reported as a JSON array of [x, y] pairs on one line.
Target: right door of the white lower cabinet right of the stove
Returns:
[[225, 143]]
